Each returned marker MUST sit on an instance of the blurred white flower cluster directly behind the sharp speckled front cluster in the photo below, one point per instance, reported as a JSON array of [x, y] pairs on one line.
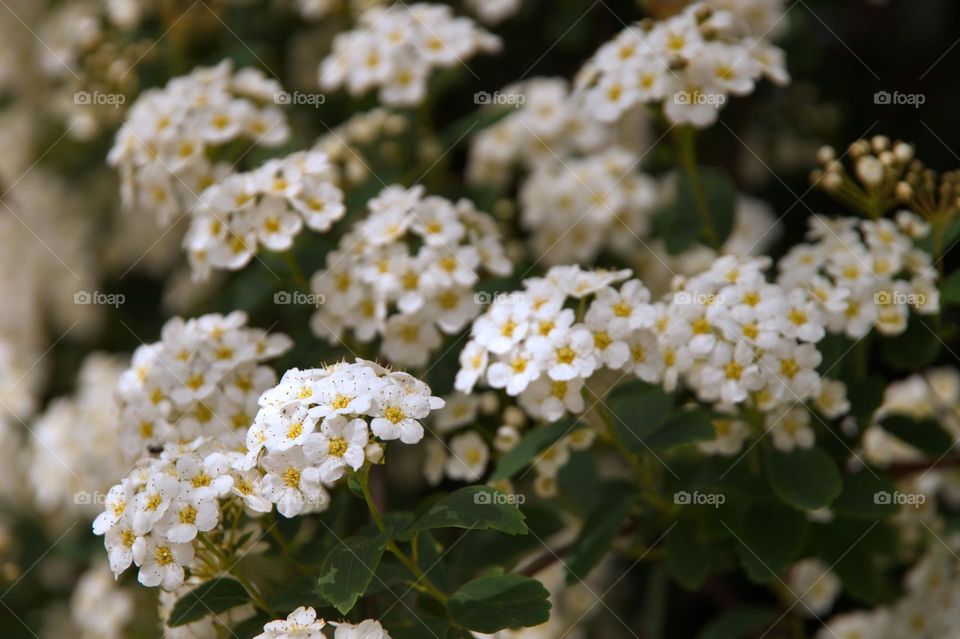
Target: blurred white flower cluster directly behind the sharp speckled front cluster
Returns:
[[203, 378]]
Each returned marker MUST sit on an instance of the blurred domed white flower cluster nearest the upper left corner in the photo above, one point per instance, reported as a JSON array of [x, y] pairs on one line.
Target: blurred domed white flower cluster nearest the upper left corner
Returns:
[[163, 149]]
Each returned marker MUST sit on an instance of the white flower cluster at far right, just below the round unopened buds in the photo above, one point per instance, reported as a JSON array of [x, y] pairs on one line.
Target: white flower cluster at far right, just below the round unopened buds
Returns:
[[861, 274]]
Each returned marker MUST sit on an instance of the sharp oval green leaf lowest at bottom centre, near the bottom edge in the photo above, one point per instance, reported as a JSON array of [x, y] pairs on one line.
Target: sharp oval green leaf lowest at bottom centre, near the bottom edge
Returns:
[[490, 604]]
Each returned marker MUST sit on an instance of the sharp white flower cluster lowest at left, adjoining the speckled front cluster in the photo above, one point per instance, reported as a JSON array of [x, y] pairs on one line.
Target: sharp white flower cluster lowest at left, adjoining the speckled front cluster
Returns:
[[154, 516]]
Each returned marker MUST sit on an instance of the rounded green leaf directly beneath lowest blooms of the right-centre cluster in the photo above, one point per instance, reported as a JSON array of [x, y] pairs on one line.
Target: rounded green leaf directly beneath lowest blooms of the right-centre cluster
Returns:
[[804, 478]]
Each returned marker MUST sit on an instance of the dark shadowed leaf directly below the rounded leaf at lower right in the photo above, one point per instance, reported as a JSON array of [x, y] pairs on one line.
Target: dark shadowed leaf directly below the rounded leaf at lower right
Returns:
[[772, 537]]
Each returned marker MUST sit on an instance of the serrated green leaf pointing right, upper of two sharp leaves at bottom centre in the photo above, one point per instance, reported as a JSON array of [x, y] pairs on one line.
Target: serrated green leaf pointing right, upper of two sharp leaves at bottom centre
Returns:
[[473, 507]]
